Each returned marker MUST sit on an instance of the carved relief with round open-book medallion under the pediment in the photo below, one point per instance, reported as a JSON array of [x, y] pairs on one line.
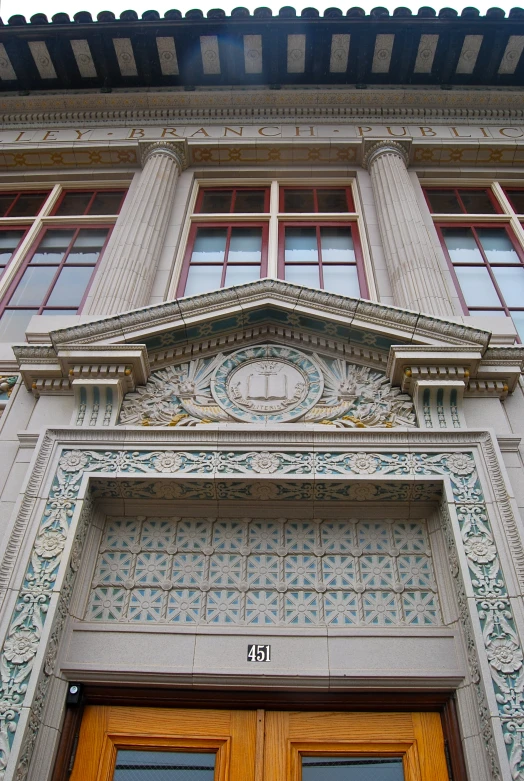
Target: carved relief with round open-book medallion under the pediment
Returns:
[[268, 384]]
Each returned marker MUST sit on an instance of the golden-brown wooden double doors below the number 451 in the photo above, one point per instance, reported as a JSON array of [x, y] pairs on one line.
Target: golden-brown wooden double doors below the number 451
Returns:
[[259, 745]]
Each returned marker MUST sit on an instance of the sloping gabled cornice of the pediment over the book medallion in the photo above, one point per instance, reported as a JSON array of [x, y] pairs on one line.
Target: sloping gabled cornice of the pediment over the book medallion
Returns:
[[213, 315]]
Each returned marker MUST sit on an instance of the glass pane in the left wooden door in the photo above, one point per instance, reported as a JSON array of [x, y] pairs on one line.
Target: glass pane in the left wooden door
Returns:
[[164, 766]]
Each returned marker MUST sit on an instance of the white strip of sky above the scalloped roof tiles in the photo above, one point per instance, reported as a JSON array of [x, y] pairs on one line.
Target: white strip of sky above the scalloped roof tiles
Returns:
[[50, 7]]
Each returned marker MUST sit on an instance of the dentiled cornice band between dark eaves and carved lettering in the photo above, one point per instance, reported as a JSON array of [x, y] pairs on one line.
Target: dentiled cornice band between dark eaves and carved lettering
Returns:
[[296, 105]]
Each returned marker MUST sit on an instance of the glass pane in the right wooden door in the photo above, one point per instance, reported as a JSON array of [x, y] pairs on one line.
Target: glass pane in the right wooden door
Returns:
[[352, 769]]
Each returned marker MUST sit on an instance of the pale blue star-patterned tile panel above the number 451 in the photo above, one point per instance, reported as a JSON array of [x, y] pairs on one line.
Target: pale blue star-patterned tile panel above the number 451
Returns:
[[264, 572]]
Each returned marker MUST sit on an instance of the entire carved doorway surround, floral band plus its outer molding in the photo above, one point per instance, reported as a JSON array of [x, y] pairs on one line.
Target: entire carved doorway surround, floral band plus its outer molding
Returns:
[[29, 649]]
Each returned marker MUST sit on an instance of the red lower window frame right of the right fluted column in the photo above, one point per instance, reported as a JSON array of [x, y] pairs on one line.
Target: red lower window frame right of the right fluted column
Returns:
[[473, 224]]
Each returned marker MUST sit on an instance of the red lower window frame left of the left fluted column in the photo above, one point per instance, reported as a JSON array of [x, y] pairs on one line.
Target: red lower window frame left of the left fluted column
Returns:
[[4, 304]]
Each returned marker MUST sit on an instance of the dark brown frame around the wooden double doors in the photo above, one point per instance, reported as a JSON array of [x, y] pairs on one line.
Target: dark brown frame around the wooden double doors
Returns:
[[439, 701]]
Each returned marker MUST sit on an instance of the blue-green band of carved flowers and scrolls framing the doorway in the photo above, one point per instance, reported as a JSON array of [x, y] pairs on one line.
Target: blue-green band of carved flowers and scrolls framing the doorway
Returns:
[[27, 627]]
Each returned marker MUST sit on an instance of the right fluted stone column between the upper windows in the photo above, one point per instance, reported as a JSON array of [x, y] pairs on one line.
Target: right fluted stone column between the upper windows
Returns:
[[412, 259]]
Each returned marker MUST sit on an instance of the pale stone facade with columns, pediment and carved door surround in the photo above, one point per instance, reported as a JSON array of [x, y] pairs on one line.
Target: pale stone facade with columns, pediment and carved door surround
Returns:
[[339, 477]]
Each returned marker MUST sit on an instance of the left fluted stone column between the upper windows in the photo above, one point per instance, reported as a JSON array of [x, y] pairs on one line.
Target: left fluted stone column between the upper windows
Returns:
[[126, 273]]
